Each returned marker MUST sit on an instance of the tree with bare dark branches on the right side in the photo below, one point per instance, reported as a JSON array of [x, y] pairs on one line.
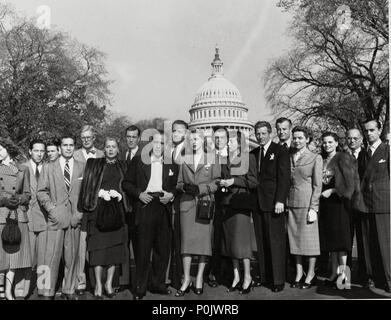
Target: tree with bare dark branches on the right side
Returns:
[[337, 74]]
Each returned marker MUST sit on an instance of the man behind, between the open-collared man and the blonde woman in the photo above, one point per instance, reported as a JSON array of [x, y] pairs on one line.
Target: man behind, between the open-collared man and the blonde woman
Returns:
[[175, 271]]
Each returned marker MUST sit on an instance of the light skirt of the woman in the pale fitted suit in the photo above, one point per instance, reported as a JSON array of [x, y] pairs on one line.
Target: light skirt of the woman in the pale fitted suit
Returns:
[[303, 236]]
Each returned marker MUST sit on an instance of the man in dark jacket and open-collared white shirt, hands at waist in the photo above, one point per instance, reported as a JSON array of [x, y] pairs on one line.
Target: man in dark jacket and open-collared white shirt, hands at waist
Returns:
[[152, 185]]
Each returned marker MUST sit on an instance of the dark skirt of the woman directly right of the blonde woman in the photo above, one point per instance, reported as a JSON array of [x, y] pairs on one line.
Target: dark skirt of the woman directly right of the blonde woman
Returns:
[[236, 242]]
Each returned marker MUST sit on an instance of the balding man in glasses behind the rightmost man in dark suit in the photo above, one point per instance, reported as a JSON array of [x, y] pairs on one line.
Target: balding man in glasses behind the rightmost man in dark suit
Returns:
[[355, 141]]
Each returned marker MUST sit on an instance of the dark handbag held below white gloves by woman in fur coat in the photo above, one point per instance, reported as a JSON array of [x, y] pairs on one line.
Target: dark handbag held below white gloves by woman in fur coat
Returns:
[[109, 216]]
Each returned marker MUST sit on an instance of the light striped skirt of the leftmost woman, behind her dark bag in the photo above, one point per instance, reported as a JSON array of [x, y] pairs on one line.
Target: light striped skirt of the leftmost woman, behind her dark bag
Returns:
[[22, 257]]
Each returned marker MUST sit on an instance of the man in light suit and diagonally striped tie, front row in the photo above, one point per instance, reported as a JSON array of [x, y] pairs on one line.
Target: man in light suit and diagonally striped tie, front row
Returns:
[[58, 192]]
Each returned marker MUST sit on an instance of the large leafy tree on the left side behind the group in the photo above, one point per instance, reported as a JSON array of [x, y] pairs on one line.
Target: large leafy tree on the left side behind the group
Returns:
[[49, 83]]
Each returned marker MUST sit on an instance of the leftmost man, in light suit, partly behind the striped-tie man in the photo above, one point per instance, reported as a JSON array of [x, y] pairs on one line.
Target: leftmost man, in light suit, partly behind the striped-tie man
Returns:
[[36, 214]]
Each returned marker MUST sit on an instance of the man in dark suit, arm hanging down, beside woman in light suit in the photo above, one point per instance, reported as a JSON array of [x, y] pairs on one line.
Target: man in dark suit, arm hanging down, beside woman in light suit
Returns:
[[273, 166]]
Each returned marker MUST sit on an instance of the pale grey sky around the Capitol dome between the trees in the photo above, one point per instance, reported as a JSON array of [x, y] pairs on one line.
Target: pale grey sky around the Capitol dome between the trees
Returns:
[[159, 51]]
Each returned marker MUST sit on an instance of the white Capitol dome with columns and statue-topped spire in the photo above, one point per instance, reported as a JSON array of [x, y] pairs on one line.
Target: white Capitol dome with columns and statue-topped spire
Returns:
[[219, 103]]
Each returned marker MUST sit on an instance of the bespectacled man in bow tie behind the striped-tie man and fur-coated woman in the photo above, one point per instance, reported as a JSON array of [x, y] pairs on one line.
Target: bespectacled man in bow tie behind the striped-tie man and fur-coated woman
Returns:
[[87, 151]]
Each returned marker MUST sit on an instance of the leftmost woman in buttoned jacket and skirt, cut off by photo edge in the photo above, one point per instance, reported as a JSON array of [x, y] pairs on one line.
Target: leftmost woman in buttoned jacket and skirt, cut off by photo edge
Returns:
[[14, 199]]
